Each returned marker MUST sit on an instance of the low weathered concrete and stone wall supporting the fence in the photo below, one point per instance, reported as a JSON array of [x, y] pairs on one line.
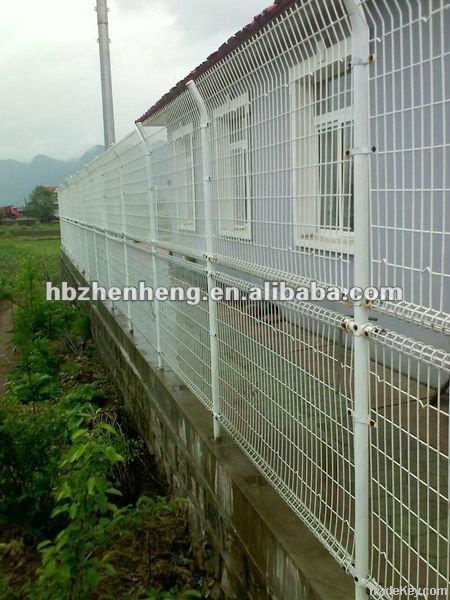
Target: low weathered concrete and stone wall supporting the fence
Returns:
[[243, 531]]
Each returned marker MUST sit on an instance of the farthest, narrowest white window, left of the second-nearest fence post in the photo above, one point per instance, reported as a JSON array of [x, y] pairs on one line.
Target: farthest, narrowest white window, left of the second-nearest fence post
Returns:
[[184, 191]]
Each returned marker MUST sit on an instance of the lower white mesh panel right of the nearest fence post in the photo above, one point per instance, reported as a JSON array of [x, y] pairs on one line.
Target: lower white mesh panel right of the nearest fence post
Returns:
[[409, 464]]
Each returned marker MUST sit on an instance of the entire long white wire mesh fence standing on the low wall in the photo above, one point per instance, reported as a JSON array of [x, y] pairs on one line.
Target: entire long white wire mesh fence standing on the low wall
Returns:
[[254, 173]]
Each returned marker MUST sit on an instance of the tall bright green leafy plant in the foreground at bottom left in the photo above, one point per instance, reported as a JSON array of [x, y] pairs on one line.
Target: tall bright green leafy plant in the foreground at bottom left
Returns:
[[73, 563]]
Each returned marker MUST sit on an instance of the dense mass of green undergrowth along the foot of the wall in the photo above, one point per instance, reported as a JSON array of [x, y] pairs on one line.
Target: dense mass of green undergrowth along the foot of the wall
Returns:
[[62, 460]]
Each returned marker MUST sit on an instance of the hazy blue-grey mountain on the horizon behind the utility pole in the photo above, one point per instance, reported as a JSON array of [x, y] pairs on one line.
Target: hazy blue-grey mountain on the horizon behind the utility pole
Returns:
[[18, 179]]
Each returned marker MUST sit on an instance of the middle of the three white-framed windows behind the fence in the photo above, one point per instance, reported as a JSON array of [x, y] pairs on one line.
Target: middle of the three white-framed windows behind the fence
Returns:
[[231, 124]]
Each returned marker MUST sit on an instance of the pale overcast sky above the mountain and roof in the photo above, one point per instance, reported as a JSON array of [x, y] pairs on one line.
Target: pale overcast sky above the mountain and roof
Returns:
[[50, 101]]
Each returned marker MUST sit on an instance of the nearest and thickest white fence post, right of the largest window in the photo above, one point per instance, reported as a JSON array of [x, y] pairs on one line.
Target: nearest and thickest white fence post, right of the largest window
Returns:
[[361, 402]]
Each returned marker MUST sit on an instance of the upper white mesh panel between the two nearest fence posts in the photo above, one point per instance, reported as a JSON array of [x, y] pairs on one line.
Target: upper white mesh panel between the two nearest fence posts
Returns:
[[281, 112]]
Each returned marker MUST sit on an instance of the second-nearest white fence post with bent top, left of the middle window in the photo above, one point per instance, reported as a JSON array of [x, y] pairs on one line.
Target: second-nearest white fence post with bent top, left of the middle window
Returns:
[[212, 306]]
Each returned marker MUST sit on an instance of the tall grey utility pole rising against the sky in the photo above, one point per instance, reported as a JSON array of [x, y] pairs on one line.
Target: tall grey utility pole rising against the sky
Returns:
[[105, 72]]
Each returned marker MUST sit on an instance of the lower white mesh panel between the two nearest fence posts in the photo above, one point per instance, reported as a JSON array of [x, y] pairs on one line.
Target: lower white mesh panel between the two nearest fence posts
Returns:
[[285, 396]]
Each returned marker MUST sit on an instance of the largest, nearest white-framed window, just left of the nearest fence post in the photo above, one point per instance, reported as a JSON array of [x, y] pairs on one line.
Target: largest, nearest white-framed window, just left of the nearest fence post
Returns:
[[322, 130]]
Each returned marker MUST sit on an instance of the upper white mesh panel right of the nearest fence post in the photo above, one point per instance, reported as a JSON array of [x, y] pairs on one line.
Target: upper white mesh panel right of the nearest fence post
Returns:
[[409, 112]]
